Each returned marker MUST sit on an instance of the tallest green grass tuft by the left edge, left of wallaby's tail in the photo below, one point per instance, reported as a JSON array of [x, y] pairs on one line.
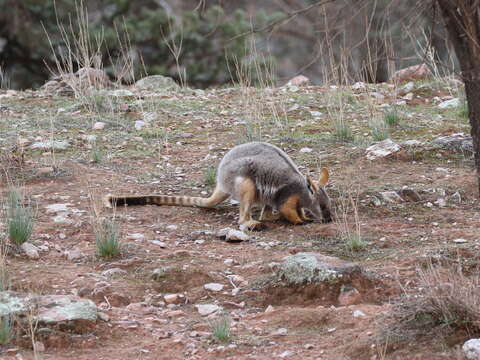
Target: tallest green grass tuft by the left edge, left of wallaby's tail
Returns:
[[19, 218]]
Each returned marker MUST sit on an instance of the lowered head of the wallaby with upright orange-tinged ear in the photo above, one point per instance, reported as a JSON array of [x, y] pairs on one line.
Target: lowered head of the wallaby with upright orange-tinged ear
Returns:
[[317, 203]]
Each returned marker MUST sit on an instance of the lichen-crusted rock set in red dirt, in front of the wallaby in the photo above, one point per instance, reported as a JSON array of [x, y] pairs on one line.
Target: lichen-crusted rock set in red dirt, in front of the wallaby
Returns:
[[313, 278]]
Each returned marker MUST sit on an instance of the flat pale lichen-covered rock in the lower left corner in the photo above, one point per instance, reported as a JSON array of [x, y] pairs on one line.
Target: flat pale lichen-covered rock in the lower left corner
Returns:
[[77, 314]]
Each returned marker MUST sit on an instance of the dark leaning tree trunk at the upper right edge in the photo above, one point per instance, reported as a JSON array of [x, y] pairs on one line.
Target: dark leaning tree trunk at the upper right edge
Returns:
[[462, 21]]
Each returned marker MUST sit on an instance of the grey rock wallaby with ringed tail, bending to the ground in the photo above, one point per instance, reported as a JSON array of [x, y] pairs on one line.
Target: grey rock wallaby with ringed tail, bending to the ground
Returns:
[[255, 173]]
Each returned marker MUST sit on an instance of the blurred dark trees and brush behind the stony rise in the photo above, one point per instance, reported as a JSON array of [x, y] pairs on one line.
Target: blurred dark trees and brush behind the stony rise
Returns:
[[342, 41]]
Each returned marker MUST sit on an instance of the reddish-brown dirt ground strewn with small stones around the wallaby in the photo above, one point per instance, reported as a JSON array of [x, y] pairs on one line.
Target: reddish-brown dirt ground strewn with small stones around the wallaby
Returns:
[[186, 135]]
